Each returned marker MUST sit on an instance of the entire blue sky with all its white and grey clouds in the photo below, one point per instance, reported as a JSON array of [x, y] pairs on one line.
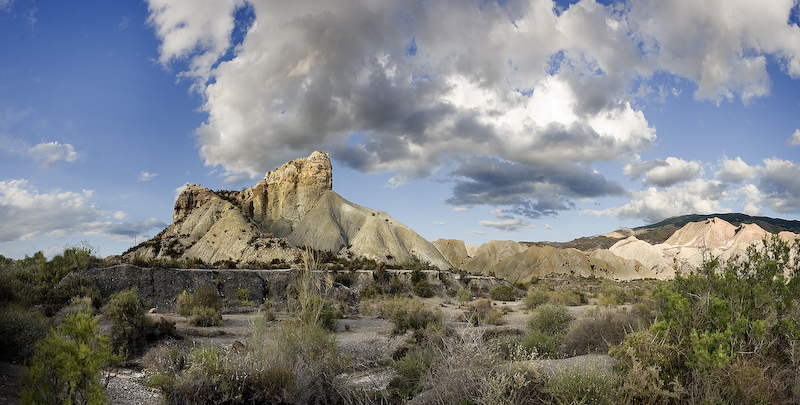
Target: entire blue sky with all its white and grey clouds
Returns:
[[526, 120]]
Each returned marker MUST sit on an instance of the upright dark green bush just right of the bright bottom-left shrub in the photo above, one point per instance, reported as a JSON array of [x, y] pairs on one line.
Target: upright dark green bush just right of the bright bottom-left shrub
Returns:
[[130, 326]]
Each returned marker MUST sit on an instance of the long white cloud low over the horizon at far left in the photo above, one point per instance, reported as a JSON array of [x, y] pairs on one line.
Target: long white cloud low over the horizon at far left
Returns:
[[26, 213]]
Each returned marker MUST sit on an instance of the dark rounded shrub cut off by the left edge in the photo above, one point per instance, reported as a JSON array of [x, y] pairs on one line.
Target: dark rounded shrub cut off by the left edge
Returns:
[[20, 329]]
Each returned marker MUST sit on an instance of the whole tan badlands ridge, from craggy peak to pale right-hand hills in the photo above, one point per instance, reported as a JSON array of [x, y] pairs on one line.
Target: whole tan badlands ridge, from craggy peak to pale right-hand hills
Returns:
[[295, 206]]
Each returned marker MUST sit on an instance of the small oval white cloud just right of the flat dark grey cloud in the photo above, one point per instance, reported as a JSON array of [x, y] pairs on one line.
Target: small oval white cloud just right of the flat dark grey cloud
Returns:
[[666, 172]]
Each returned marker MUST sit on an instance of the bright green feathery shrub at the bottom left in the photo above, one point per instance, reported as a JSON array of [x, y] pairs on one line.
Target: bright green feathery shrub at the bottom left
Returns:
[[66, 365]]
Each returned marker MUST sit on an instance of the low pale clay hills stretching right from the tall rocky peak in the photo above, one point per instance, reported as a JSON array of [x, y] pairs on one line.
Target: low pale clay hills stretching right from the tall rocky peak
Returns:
[[629, 258]]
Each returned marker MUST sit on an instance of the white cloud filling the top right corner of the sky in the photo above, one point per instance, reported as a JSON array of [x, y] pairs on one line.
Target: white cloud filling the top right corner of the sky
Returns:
[[721, 46]]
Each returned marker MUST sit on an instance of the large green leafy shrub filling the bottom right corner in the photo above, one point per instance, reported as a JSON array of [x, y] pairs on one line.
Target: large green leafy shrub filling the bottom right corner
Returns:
[[725, 321]]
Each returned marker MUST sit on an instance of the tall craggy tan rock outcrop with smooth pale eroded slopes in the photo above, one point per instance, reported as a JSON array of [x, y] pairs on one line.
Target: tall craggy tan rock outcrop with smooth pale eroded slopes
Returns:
[[293, 206]]
